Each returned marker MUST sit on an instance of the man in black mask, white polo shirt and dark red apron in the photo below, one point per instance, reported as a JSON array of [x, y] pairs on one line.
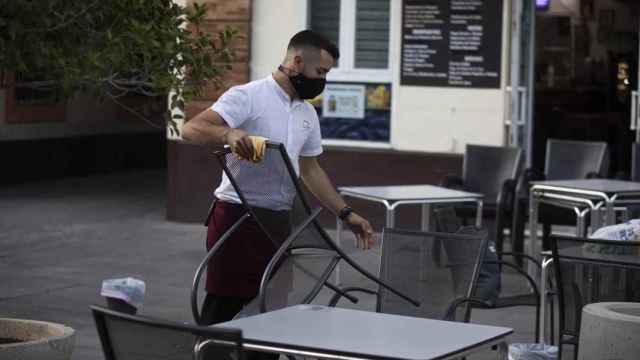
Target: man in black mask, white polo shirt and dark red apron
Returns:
[[274, 108]]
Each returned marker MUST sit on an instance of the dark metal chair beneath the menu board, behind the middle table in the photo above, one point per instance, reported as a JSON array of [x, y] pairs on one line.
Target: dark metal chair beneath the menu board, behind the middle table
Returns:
[[492, 171]]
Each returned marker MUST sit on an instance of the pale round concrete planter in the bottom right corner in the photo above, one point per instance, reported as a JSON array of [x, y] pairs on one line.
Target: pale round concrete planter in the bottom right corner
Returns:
[[610, 331]]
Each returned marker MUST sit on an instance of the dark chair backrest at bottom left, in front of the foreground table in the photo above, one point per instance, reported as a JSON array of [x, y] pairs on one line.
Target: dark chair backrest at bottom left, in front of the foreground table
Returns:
[[130, 337]]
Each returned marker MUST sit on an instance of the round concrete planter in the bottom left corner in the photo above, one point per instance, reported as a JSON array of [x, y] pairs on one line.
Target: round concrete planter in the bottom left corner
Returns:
[[39, 340]]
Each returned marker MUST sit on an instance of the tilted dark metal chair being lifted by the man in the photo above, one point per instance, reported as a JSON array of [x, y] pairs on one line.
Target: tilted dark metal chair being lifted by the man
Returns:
[[303, 261]]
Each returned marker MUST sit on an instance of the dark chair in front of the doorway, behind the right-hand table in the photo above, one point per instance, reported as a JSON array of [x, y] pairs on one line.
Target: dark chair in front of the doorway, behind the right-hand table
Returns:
[[564, 160]]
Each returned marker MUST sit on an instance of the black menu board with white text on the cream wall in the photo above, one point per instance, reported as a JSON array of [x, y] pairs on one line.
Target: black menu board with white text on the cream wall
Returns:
[[451, 43]]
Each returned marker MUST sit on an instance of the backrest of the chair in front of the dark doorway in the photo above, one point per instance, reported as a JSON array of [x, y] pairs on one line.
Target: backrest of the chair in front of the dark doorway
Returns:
[[567, 159]]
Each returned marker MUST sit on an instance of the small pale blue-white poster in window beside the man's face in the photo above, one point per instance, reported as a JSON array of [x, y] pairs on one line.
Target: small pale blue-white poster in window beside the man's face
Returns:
[[343, 101]]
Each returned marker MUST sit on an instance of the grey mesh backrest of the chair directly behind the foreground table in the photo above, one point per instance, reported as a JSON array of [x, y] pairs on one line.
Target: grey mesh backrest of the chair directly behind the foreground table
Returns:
[[433, 268]]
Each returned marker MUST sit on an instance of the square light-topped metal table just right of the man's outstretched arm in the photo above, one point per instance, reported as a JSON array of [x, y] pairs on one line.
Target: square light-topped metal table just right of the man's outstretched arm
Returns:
[[396, 195]]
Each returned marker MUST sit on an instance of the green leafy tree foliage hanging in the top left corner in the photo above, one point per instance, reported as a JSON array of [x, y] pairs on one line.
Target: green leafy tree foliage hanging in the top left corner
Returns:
[[112, 49]]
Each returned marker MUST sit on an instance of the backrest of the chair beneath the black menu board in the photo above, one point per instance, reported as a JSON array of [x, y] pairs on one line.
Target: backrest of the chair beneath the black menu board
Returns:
[[485, 168]]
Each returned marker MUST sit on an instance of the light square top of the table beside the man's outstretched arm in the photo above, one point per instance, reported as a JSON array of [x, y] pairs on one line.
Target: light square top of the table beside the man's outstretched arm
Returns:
[[409, 193]]
